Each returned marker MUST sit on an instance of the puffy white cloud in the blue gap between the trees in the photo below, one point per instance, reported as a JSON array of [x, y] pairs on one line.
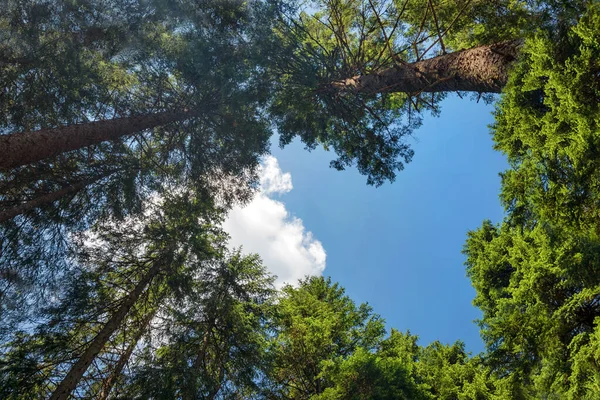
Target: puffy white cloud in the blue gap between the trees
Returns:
[[264, 226]]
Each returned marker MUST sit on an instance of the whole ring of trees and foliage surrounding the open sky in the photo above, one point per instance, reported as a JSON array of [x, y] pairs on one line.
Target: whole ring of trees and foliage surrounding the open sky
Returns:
[[129, 129]]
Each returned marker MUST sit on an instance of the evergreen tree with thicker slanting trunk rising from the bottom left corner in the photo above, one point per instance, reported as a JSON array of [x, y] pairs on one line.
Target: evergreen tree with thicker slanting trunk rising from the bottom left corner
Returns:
[[125, 276]]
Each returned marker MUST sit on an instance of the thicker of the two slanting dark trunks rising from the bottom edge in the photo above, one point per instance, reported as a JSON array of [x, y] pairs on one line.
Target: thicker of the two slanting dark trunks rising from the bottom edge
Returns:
[[70, 381]]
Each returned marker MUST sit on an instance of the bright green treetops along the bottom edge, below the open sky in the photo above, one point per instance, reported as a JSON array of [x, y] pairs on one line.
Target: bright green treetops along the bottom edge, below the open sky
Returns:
[[324, 347]]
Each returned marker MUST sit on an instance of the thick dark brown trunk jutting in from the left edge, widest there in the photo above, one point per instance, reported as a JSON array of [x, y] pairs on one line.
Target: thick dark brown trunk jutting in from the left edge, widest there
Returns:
[[24, 148]]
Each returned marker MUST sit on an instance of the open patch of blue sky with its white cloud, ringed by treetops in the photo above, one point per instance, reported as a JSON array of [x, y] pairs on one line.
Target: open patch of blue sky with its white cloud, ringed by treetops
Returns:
[[397, 247]]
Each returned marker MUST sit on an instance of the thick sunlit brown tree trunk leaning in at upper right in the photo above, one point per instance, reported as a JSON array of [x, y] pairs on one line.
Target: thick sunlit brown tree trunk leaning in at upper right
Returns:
[[482, 69]]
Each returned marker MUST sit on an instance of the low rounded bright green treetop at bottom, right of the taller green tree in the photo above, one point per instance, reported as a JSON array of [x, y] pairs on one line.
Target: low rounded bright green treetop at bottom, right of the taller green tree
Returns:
[[400, 369]]
